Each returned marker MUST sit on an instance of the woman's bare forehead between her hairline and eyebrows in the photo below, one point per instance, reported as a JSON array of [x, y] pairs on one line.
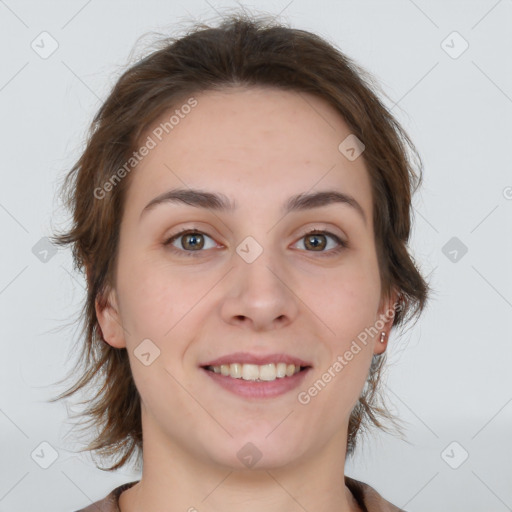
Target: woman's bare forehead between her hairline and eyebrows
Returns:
[[257, 143]]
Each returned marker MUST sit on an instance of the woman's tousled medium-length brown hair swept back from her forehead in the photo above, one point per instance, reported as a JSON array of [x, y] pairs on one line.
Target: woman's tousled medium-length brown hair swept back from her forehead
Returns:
[[241, 51]]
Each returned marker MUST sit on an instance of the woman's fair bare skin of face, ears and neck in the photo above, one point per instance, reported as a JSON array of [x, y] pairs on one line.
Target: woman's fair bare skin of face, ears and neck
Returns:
[[258, 147]]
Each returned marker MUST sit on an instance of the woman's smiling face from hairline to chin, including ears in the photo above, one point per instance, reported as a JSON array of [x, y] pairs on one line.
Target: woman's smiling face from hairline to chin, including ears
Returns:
[[248, 284]]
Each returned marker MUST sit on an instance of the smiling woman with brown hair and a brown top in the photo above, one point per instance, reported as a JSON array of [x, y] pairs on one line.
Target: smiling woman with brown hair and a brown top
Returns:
[[242, 213]]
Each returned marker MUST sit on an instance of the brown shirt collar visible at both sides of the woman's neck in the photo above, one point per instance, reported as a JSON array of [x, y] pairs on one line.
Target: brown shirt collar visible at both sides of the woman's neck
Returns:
[[368, 499]]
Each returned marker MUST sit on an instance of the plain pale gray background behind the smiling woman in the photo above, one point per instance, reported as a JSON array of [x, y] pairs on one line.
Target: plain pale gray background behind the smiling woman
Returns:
[[449, 377]]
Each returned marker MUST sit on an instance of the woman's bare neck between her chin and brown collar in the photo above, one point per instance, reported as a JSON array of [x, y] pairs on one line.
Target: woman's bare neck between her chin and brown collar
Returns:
[[174, 480]]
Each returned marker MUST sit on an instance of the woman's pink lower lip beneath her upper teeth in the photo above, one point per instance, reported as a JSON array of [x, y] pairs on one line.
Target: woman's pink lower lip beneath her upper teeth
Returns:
[[253, 389]]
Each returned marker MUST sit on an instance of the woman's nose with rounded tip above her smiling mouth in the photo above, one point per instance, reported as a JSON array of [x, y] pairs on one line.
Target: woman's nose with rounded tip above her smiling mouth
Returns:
[[259, 295]]
